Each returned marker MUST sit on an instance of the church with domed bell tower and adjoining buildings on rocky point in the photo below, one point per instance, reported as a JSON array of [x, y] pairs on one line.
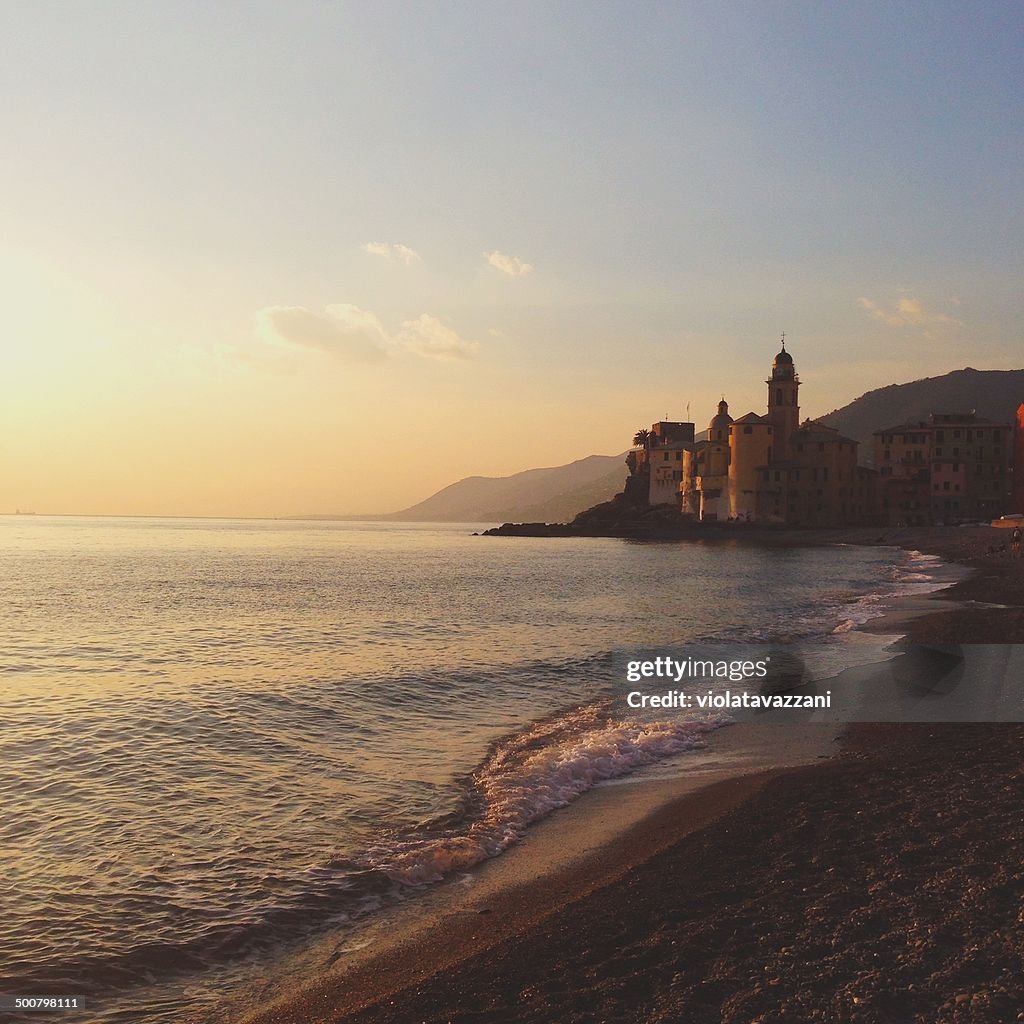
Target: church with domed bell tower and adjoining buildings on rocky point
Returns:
[[766, 468]]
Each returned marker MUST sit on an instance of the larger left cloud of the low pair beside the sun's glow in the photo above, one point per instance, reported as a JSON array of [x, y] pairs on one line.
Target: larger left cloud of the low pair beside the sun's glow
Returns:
[[345, 331]]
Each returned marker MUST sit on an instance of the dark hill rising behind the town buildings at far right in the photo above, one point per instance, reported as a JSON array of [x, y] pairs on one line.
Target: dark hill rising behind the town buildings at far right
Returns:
[[992, 394]]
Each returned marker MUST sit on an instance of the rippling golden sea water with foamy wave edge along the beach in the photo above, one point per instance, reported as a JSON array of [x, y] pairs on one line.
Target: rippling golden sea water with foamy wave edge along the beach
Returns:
[[221, 738]]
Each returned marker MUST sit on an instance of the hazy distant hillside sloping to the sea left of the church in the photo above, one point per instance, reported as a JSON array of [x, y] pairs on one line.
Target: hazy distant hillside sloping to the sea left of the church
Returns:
[[553, 494]]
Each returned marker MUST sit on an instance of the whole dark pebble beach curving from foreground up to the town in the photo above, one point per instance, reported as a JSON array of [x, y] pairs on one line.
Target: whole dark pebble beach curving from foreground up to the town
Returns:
[[881, 884]]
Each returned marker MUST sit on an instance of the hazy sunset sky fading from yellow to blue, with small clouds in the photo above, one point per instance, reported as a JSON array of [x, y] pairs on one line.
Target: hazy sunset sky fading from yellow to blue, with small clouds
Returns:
[[275, 260]]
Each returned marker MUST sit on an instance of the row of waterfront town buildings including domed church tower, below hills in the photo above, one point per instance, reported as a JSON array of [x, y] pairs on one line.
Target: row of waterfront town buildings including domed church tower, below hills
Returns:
[[955, 467]]
